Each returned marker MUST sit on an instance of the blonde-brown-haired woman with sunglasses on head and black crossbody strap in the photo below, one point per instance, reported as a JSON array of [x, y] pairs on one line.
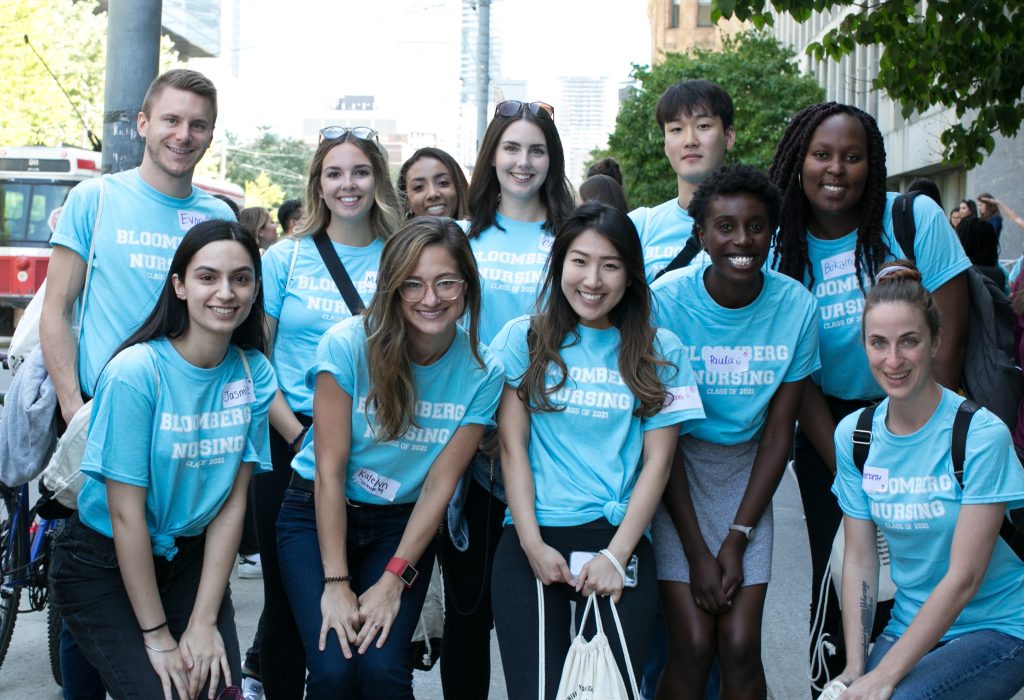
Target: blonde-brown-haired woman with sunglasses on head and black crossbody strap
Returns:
[[351, 209]]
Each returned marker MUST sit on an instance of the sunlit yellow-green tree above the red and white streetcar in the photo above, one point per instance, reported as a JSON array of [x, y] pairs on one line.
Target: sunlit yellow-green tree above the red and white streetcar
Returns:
[[72, 38]]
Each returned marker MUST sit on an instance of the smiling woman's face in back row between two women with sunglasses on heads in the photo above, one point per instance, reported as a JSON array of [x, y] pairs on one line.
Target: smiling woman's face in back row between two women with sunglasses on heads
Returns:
[[433, 185]]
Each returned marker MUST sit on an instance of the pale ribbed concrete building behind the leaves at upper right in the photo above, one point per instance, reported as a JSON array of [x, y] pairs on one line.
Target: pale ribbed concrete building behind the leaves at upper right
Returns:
[[913, 147]]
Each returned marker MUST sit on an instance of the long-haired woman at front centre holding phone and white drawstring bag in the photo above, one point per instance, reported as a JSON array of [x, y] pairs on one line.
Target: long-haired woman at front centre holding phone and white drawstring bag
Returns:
[[594, 400]]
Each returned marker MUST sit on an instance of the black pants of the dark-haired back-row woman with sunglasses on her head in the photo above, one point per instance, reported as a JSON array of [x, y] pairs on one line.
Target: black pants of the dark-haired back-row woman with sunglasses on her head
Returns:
[[468, 620]]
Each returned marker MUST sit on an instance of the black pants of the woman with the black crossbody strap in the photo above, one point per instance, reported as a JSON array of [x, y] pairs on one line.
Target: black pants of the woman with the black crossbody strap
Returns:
[[282, 660]]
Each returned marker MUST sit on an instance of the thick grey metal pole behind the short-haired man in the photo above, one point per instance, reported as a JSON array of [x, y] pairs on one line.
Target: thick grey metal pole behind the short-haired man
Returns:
[[133, 61]]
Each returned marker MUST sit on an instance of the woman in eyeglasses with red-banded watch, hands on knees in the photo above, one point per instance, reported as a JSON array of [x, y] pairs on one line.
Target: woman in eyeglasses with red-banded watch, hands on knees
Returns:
[[402, 397]]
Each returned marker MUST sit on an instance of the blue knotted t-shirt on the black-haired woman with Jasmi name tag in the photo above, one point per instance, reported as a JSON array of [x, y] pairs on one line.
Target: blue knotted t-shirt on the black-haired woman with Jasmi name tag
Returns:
[[182, 436]]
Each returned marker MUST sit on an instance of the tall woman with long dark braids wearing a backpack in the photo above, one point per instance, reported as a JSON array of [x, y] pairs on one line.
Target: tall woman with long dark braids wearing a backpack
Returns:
[[836, 234]]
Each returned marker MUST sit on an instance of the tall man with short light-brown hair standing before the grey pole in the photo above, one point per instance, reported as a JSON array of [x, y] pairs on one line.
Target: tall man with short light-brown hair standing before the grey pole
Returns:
[[134, 222]]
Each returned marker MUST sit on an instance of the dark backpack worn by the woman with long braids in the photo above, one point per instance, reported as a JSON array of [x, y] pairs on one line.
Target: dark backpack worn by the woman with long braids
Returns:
[[991, 376]]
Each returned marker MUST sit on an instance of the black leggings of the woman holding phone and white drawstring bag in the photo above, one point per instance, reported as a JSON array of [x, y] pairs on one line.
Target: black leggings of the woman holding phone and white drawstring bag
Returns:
[[515, 602]]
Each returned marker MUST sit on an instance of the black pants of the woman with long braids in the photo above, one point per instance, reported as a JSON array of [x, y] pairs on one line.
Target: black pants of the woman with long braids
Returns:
[[823, 516]]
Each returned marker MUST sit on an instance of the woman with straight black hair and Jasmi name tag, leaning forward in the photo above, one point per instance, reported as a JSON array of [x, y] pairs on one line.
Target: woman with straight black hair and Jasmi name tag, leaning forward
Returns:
[[180, 421]]
